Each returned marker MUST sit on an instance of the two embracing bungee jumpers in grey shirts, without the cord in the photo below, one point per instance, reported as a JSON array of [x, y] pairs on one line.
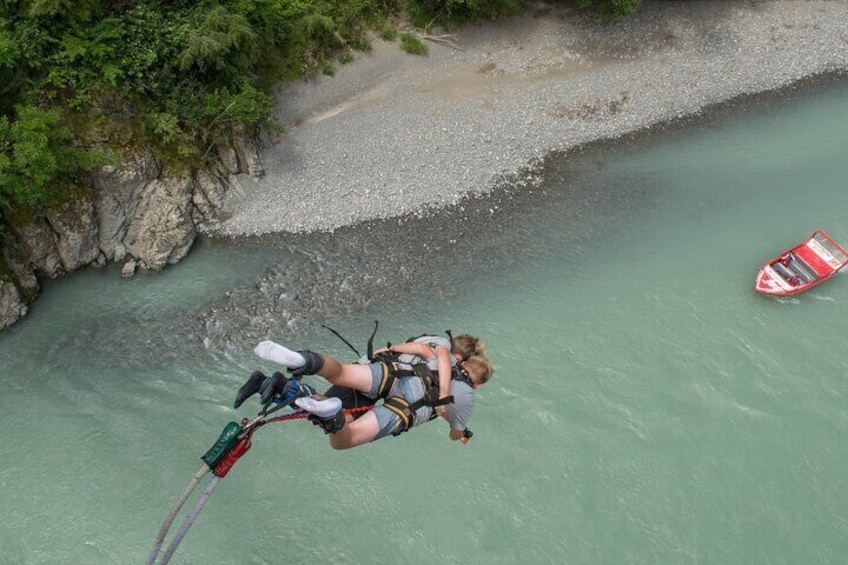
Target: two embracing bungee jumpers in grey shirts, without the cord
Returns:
[[417, 380]]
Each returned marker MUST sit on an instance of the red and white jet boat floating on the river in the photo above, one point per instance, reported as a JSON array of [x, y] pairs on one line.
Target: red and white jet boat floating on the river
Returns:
[[806, 265]]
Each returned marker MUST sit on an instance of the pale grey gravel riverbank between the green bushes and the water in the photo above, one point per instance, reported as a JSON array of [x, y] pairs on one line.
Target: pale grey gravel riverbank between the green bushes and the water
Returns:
[[392, 134]]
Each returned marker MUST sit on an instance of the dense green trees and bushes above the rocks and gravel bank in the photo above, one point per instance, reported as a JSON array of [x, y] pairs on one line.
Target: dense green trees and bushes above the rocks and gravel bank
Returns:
[[80, 76]]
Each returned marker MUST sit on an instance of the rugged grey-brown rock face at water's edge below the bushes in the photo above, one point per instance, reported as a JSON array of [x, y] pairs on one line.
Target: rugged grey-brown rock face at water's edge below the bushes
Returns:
[[136, 215]]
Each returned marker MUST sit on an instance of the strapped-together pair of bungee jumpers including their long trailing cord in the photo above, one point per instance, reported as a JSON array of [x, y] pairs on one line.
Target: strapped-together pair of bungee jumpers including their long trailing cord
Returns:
[[418, 380]]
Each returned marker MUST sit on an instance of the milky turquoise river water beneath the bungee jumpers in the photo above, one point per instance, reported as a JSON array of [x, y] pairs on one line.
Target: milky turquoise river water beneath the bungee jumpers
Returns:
[[647, 406]]
